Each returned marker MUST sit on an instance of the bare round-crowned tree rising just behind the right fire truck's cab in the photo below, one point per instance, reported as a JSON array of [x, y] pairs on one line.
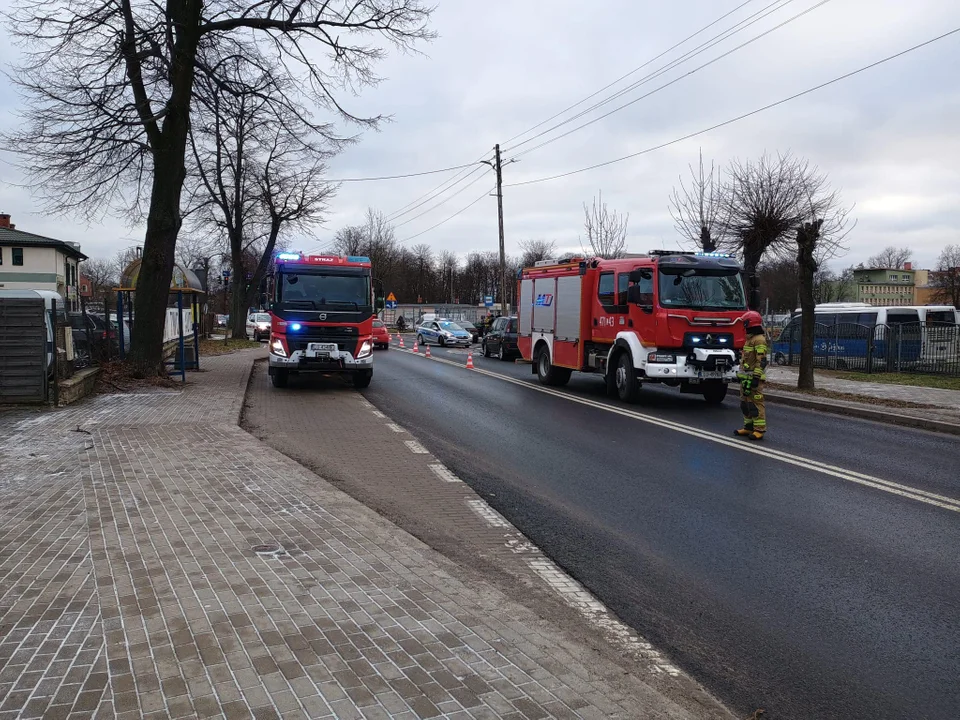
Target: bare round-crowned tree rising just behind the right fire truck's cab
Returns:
[[764, 203]]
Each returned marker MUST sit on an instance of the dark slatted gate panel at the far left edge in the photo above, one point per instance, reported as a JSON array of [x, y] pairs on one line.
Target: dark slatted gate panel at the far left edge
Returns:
[[23, 341]]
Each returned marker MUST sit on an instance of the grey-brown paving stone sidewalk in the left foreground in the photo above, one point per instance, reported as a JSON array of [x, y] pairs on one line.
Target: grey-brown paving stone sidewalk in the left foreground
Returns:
[[129, 586]]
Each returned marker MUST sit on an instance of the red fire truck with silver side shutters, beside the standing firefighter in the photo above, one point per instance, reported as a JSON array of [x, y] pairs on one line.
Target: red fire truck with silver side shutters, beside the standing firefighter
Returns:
[[669, 317]]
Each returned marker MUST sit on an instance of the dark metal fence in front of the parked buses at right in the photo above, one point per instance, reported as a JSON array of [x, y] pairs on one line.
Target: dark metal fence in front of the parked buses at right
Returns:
[[904, 348]]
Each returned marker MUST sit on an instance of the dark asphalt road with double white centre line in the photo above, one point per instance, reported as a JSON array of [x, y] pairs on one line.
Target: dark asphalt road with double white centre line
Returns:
[[815, 575]]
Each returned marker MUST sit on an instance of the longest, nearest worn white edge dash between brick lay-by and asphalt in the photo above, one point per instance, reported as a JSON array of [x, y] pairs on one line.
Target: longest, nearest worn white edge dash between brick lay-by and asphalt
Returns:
[[577, 597]]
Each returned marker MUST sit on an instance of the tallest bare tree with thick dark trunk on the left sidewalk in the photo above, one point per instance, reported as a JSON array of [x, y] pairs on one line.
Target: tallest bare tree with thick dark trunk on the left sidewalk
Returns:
[[109, 89]]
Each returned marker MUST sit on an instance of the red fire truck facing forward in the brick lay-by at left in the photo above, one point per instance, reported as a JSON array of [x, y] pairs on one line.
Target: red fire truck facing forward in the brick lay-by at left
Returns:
[[322, 317]]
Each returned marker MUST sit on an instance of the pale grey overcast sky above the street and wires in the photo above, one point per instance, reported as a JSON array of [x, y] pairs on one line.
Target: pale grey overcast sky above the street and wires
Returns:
[[887, 138]]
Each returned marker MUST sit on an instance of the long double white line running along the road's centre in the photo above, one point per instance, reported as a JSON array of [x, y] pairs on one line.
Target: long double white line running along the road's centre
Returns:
[[941, 501]]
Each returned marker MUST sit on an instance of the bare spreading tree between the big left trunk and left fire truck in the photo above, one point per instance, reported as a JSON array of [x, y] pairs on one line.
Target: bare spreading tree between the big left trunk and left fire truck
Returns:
[[256, 171]]
